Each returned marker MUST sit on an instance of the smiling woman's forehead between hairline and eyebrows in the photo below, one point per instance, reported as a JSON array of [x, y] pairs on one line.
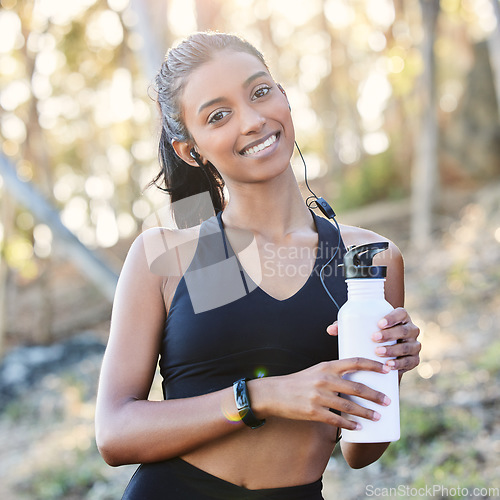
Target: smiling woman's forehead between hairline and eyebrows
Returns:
[[220, 77]]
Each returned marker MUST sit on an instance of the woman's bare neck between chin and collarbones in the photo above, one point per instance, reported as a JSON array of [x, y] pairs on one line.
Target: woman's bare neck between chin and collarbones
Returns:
[[273, 209]]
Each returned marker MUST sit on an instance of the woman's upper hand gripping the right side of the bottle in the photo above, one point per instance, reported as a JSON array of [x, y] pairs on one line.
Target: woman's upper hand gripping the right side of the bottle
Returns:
[[398, 326]]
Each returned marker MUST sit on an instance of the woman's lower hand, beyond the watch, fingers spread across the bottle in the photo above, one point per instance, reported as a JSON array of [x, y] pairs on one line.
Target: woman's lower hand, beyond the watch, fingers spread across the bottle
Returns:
[[311, 393]]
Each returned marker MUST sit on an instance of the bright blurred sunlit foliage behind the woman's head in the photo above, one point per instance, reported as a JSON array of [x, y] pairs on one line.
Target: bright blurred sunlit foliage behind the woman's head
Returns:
[[78, 122]]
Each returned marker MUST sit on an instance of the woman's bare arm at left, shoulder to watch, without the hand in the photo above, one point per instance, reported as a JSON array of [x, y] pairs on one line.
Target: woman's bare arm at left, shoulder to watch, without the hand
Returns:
[[129, 428]]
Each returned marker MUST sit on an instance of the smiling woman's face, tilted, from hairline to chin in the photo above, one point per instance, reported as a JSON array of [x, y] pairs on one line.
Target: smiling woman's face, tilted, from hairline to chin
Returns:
[[239, 119]]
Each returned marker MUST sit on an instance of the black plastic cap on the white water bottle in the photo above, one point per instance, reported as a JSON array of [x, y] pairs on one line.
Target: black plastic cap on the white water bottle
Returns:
[[358, 261]]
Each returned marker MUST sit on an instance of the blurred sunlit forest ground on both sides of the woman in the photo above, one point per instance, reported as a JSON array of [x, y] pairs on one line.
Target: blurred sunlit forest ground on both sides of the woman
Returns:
[[450, 444]]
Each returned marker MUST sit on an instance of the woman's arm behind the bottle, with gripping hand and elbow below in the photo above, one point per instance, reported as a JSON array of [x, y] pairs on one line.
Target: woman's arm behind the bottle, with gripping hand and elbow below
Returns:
[[398, 327]]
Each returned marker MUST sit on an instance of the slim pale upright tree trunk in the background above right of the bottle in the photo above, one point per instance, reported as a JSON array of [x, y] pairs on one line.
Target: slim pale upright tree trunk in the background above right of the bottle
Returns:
[[425, 167]]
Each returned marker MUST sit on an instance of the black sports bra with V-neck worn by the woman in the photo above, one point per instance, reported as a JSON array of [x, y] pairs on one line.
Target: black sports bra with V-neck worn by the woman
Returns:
[[222, 327]]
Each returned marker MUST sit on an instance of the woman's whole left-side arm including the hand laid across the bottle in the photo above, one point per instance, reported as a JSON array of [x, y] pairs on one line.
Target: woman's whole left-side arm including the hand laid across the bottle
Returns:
[[131, 429]]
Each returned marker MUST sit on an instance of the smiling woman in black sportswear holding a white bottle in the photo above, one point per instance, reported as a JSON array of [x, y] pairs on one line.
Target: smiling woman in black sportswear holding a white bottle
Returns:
[[235, 307]]
